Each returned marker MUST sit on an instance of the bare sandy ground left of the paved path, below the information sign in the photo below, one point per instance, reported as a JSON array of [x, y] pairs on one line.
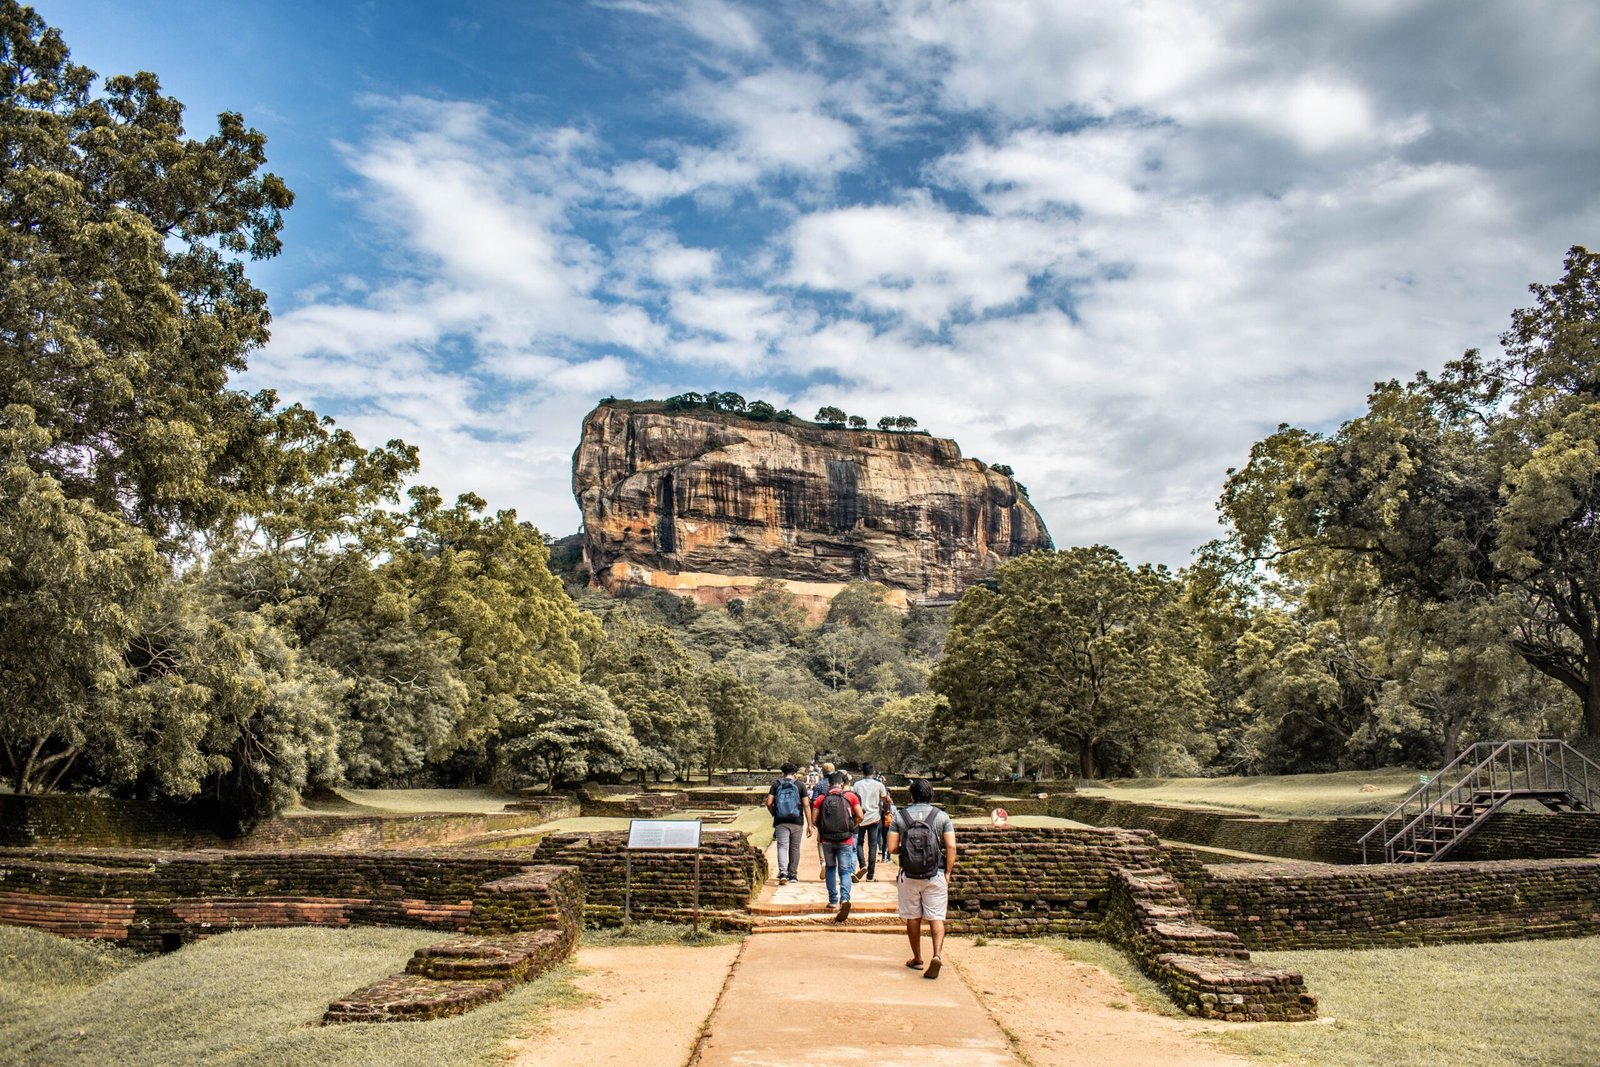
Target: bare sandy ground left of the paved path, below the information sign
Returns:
[[646, 1009]]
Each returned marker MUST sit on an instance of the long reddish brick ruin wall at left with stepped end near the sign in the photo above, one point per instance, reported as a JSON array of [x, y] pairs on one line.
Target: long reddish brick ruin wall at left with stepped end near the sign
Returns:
[[508, 921]]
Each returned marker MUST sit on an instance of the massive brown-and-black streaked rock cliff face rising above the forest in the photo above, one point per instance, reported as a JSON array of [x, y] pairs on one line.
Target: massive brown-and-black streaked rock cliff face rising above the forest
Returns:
[[708, 505]]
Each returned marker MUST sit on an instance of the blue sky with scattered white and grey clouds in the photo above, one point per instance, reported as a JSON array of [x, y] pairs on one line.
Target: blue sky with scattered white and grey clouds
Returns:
[[1106, 244]]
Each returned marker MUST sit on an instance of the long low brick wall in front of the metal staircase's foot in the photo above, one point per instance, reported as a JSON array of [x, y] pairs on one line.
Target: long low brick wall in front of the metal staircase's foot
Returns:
[[1313, 906]]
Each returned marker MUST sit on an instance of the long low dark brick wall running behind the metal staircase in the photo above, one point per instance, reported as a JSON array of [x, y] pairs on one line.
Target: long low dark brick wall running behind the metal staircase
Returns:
[[1332, 841]]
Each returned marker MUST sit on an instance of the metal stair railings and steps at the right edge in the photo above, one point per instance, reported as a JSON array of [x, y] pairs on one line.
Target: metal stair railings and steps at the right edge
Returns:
[[1434, 801]]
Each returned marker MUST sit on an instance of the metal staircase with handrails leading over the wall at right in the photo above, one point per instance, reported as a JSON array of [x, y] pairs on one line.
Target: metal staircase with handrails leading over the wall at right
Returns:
[[1481, 781]]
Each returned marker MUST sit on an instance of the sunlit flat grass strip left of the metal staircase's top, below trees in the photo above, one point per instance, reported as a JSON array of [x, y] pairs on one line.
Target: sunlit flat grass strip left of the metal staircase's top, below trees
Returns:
[[1337, 794]]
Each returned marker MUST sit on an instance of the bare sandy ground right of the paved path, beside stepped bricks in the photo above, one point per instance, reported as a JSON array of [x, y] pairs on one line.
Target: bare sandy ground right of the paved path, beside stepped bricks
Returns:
[[1060, 1012]]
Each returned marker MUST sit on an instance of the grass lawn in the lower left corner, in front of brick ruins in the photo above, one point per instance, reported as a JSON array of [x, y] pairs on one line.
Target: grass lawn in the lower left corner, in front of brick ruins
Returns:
[[252, 997]]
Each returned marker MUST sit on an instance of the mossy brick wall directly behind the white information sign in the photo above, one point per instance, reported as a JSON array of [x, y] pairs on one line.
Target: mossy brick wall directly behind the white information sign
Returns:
[[732, 869]]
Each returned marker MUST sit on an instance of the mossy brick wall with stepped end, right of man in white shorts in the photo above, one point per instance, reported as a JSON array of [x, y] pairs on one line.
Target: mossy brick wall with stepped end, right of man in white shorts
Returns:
[[1113, 885]]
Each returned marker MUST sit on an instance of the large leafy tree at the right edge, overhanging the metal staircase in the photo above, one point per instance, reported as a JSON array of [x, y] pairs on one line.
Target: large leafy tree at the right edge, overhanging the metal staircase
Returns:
[[1466, 494]]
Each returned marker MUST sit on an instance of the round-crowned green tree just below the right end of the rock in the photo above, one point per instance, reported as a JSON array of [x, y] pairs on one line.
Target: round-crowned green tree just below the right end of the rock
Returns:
[[1074, 650]]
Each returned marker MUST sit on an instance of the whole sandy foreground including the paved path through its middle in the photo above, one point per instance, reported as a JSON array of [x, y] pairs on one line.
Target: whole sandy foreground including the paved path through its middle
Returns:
[[650, 1005]]
